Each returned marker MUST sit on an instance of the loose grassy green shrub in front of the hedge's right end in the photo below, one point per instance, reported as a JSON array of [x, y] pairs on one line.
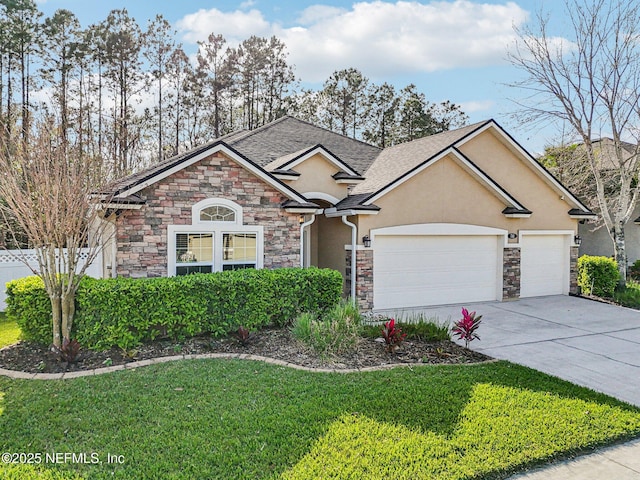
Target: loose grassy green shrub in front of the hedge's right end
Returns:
[[336, 331]]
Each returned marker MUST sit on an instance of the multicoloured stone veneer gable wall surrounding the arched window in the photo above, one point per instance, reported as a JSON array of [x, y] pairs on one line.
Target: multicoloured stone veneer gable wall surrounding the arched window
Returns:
[[142, 234]]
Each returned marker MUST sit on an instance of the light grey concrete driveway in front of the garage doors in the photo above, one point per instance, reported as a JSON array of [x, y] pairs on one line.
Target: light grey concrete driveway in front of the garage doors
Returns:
[[586, 342]]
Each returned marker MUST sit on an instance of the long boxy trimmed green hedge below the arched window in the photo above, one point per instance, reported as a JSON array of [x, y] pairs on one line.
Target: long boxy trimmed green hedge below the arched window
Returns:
[[126, 312]]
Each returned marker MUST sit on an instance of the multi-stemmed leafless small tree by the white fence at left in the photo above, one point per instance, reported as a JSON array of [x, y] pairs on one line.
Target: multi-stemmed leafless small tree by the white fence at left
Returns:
[[46, 187]]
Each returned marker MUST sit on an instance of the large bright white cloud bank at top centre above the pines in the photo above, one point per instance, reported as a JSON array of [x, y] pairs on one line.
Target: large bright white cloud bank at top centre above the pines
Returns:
[[380, 38]]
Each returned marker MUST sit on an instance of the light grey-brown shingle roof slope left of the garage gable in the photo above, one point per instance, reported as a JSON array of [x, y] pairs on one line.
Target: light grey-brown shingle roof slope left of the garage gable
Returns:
[[396, 161]]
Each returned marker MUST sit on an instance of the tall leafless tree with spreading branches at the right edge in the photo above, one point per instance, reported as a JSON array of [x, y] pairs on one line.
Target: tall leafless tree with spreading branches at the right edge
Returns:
[[592, 84]]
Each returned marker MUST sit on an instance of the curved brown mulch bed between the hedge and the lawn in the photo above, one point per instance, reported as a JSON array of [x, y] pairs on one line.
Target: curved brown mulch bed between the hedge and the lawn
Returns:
[[273, 343]]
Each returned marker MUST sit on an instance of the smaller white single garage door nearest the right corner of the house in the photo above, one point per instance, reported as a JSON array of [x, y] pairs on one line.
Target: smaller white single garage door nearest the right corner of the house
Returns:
[[544, 265]]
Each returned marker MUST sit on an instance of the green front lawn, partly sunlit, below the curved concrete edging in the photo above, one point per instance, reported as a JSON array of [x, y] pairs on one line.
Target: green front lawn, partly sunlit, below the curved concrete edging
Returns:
[[210, 419]]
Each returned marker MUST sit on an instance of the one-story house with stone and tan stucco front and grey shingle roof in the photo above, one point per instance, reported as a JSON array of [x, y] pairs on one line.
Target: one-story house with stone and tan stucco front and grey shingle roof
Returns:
[[463, 216]]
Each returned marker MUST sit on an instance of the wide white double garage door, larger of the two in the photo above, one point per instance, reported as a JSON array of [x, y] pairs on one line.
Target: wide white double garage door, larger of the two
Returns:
[[418, 270]]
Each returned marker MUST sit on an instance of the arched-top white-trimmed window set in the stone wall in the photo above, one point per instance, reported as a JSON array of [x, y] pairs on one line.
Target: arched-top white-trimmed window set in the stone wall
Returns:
[[216, 241]]
